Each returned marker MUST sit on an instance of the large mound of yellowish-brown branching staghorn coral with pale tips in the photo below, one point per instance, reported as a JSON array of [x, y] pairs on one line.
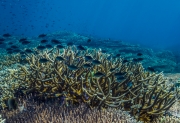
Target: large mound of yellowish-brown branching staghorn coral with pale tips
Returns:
[[92, 77]]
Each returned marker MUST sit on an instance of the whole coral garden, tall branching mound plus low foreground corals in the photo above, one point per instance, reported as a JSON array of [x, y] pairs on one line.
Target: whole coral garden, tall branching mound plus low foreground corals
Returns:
[[76, 84]]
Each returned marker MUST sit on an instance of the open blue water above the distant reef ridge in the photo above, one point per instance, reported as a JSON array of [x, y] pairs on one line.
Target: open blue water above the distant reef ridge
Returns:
[[152, 23]]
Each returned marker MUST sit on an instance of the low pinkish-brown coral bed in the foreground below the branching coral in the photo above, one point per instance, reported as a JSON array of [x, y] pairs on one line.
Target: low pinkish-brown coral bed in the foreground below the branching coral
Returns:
[[46, 113]]
